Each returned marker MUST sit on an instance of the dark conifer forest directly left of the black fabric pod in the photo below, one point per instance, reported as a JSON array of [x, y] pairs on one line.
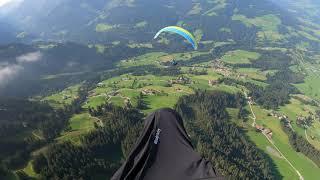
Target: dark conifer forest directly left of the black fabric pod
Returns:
[[101, 150]]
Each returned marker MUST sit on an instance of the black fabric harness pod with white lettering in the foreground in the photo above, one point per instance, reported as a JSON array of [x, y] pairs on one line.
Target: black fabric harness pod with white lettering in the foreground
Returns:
[[164, 152]]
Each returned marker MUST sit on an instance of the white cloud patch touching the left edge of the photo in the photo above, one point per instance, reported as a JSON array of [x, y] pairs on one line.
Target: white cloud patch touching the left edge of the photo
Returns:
[[7, 73]]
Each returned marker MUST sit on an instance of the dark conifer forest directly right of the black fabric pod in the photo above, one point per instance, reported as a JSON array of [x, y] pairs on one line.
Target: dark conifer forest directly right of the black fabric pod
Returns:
[[220, 140]]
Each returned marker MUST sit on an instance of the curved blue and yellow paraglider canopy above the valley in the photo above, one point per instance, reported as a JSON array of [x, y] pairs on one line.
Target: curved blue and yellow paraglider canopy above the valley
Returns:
[[182, 32]]
